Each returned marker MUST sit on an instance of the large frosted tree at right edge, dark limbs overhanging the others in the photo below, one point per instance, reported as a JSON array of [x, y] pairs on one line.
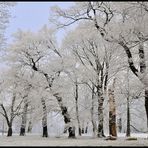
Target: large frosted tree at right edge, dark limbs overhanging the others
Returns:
[[119, 23]]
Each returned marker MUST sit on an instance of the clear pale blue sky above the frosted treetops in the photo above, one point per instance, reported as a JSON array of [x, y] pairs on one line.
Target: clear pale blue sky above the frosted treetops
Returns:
[[31, 15]]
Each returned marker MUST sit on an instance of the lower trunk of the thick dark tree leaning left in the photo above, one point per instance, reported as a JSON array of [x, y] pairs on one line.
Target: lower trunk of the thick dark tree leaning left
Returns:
[[67, 119]]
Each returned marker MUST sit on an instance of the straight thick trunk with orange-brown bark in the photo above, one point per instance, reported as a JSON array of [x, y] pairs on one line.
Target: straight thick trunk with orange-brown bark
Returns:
[[112, 112]]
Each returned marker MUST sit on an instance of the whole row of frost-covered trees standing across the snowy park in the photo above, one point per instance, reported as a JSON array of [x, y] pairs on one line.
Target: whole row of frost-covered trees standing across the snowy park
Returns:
[[84, 78]]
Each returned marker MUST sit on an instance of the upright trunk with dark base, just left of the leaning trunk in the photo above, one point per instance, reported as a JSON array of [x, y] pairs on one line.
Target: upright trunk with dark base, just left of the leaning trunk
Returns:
[[44, 119]]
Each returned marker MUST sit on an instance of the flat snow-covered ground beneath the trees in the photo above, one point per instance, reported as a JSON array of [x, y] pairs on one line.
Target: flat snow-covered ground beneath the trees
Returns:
[[37, 140]]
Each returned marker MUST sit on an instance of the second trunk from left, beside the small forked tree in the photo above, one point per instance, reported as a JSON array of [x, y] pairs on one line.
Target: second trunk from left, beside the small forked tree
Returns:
[[24, 119]]
